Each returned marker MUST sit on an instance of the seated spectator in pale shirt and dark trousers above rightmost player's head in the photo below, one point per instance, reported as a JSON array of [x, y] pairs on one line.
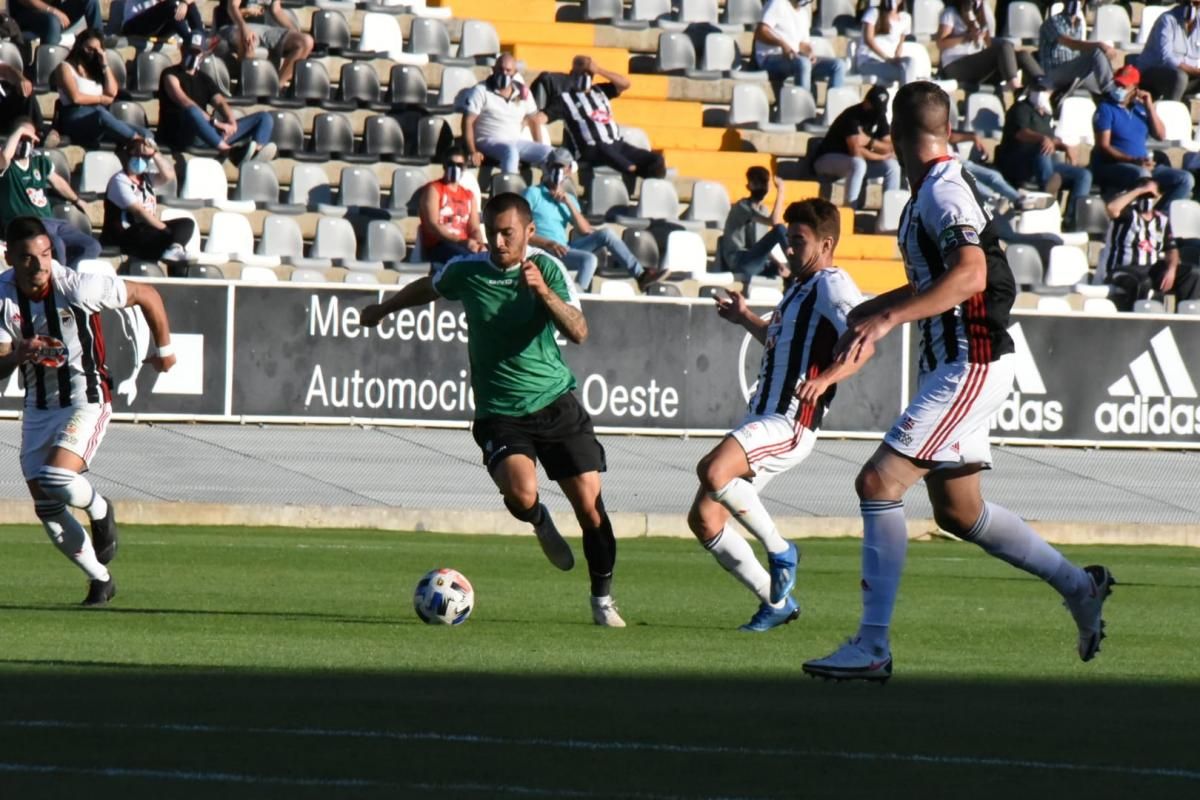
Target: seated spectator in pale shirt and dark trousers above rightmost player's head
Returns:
[[971, 56]]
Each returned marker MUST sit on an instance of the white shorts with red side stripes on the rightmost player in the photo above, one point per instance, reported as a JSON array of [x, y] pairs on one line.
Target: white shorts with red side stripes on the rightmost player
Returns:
[[950, 419]]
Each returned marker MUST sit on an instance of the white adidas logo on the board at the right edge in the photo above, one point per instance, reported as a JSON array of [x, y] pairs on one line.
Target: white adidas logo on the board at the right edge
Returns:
[[1157, 381]]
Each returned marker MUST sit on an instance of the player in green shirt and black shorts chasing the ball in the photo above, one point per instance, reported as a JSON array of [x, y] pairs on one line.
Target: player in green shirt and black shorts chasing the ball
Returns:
[[515, 297]]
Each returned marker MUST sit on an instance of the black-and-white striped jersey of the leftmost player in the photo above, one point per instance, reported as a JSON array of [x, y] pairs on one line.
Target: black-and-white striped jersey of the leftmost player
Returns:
[[70, 312]]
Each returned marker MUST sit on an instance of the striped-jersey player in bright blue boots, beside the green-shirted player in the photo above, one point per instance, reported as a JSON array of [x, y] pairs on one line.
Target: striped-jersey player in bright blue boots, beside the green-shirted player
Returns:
[[778, 432]]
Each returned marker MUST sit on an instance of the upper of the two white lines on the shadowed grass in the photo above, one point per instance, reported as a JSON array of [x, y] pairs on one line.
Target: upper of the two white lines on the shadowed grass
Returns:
[[626, 747]]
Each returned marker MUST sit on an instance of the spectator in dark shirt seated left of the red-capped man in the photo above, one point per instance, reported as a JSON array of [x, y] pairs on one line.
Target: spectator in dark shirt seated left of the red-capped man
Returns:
[[1028, 147]]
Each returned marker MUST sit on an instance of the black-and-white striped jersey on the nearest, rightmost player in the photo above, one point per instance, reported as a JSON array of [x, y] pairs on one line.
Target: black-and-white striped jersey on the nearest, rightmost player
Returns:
[[945, 214]]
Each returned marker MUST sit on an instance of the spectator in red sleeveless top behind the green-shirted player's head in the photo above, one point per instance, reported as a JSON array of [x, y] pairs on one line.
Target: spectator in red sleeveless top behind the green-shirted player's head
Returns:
[[449, 215]]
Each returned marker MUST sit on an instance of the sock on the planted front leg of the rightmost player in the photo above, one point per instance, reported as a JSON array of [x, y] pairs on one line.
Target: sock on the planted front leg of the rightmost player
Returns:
[[885, 543]]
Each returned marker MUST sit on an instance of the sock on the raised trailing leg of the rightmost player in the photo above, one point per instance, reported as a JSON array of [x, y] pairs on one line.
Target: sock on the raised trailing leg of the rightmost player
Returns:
[[1005, 536]]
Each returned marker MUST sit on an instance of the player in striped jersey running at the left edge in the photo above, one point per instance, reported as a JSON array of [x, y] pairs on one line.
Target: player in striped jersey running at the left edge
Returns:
[[50, 329]]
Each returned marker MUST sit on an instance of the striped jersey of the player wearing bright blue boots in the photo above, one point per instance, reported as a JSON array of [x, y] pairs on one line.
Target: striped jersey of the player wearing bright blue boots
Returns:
[[801, 339]]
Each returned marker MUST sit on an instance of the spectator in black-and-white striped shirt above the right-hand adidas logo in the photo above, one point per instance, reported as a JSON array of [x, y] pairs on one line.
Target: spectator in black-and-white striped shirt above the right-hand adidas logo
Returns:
[[1142, 257]]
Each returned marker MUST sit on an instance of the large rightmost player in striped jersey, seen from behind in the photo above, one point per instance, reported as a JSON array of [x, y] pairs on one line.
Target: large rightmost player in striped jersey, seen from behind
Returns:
[[961, 293]]
